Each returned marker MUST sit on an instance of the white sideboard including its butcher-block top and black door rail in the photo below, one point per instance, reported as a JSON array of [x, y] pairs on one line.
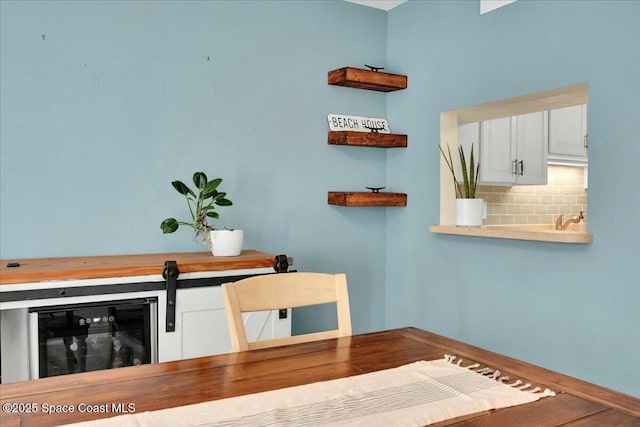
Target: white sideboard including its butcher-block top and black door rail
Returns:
[[183, 289]]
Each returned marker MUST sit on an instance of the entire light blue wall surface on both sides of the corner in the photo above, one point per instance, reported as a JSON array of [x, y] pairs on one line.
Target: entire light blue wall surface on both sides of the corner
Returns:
[[120, 98]]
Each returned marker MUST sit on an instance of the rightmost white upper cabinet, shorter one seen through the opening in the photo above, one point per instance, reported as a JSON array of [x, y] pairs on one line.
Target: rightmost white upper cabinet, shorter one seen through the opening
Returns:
[[568, 134]]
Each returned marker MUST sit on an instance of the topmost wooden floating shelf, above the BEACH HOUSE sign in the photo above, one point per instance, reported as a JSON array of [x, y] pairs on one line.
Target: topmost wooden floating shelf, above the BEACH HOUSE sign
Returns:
[[367, 79]]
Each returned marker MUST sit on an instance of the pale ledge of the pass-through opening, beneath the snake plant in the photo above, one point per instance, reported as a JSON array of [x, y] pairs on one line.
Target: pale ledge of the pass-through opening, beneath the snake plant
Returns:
[[540, 233]]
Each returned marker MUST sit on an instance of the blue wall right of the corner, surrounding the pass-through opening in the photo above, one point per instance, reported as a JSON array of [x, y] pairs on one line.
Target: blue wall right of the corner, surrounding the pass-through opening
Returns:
[[571, 308]]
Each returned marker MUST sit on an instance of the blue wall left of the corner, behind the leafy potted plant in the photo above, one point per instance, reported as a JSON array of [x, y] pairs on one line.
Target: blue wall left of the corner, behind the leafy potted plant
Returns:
[[121, 98]]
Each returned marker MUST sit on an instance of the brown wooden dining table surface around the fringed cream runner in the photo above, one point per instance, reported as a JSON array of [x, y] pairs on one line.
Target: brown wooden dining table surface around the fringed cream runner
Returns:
[[82, 397]]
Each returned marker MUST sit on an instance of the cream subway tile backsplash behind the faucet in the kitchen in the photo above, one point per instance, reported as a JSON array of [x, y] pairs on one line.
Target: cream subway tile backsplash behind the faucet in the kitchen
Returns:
[[537, 204]]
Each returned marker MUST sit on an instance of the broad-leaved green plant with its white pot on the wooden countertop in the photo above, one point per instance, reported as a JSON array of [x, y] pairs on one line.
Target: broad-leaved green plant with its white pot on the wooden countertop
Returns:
[[202, 206]]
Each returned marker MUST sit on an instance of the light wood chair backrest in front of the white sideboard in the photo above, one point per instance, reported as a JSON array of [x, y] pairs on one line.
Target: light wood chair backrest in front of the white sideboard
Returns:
[[285, 290]]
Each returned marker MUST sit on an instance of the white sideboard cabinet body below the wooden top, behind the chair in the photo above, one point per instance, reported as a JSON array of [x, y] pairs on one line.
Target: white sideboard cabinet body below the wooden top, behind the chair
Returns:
[[200, 319]]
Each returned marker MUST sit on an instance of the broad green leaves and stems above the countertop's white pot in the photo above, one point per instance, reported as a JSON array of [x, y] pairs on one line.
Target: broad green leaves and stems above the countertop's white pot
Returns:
[[201, 206]]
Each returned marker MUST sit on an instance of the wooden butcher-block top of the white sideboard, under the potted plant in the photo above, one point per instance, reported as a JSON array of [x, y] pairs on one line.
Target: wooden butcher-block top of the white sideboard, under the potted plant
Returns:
[[97, 267]]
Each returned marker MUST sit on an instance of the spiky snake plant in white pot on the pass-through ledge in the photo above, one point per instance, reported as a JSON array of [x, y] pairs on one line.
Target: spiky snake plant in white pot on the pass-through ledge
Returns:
[[469, 210]]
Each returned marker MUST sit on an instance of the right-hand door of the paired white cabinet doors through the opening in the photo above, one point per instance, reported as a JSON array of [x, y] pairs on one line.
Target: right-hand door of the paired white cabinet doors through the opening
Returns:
[[532, 142]]
